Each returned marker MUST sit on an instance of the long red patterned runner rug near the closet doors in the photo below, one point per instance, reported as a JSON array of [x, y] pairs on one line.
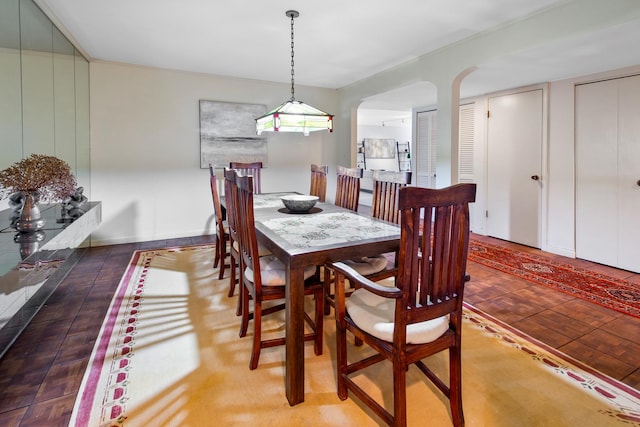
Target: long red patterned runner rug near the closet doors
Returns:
[[606, 291]]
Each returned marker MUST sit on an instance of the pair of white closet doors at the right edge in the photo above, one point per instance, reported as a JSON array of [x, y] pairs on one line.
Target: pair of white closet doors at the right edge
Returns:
[[608, 172]]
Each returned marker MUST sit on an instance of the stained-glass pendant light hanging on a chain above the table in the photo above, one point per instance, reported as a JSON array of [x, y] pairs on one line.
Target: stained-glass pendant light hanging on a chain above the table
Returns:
[[292, 115]]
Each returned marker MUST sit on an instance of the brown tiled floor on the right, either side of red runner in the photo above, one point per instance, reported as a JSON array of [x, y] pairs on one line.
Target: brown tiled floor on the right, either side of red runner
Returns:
[[602, 338]]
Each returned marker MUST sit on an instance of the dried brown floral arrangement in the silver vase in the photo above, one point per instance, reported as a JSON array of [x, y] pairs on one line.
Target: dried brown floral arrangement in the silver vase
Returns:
[[47, 176]]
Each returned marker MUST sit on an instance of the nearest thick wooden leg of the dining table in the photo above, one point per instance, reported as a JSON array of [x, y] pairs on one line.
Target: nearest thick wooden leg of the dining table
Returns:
[[294, 364]]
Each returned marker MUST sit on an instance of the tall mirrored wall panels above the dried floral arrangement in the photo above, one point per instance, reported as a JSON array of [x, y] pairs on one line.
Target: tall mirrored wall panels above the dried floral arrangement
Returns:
[[44, 91]]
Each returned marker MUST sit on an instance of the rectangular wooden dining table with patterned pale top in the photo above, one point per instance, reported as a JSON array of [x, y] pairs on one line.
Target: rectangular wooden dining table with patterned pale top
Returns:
[[325, 233]]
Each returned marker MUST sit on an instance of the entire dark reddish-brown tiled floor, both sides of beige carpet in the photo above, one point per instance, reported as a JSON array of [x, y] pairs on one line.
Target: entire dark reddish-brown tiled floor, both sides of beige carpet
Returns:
[[40, 375]]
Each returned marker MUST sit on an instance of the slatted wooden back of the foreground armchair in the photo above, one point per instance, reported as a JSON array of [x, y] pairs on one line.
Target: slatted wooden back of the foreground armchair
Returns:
[[434, 242]]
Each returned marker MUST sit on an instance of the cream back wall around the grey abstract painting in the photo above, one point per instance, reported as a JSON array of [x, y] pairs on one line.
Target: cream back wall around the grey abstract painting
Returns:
[[145, 148]]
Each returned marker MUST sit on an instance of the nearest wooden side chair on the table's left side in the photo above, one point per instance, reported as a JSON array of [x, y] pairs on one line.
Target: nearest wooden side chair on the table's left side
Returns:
[[264, 279]]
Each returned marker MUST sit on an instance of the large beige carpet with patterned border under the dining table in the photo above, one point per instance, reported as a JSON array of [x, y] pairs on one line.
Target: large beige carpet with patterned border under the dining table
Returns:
[[169, 355]]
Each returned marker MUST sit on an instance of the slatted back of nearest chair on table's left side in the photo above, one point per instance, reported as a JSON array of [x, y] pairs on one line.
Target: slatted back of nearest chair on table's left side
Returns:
[[246, 230]]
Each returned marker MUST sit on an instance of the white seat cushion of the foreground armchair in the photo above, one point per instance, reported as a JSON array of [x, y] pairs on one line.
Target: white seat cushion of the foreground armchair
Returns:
[[375, 315]]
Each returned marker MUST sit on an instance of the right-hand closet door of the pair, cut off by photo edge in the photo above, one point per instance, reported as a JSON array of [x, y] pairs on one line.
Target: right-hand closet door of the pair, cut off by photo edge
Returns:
[[629, 174]]
